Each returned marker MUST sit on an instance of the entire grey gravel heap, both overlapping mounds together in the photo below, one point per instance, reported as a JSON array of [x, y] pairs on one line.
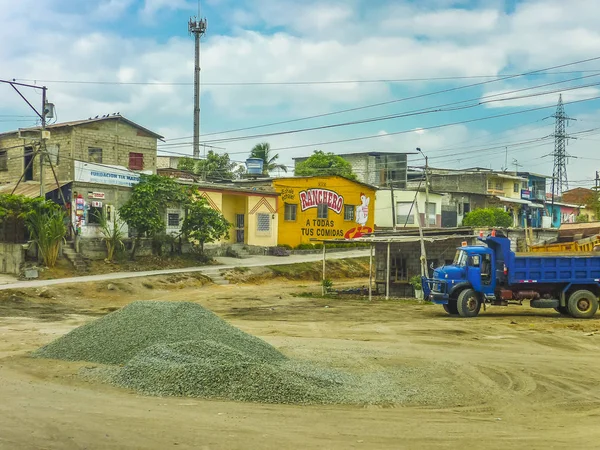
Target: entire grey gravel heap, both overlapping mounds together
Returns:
[[182, 349]]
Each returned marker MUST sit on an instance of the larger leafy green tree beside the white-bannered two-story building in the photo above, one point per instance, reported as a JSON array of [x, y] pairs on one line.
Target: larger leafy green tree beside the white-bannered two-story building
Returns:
[[145, 209]]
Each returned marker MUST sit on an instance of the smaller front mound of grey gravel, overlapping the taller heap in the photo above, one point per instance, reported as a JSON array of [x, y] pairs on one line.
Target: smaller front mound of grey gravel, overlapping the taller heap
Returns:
[[213, 370]]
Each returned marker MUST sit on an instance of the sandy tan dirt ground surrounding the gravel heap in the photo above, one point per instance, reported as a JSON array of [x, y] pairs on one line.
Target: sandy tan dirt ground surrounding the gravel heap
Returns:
[[512, 378]]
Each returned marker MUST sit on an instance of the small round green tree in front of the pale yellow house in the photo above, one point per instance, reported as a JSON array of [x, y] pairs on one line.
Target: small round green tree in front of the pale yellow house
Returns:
[[203, 225]]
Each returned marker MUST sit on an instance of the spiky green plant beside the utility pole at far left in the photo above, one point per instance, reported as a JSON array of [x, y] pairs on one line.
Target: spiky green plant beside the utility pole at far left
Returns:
[[47, 229]]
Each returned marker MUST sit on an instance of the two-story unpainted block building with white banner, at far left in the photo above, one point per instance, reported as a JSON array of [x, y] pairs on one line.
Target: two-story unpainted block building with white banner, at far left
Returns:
[[93, 162]]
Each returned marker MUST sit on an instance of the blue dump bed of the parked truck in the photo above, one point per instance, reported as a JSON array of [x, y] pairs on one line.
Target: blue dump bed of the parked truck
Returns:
[[556, 267]]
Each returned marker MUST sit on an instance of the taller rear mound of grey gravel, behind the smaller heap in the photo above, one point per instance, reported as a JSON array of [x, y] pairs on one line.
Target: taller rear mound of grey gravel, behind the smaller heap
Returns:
[[119, 336]]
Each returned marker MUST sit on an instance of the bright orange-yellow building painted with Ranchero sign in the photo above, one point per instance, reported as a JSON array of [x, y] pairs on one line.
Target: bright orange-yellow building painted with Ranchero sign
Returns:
[[322, 207]]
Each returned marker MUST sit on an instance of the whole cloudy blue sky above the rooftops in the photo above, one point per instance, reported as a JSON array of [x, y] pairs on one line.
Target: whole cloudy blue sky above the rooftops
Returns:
[[379, 75]]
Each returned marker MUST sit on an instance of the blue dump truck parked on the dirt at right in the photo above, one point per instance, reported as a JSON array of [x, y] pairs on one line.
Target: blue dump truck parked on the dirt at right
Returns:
[[492, 274]]
